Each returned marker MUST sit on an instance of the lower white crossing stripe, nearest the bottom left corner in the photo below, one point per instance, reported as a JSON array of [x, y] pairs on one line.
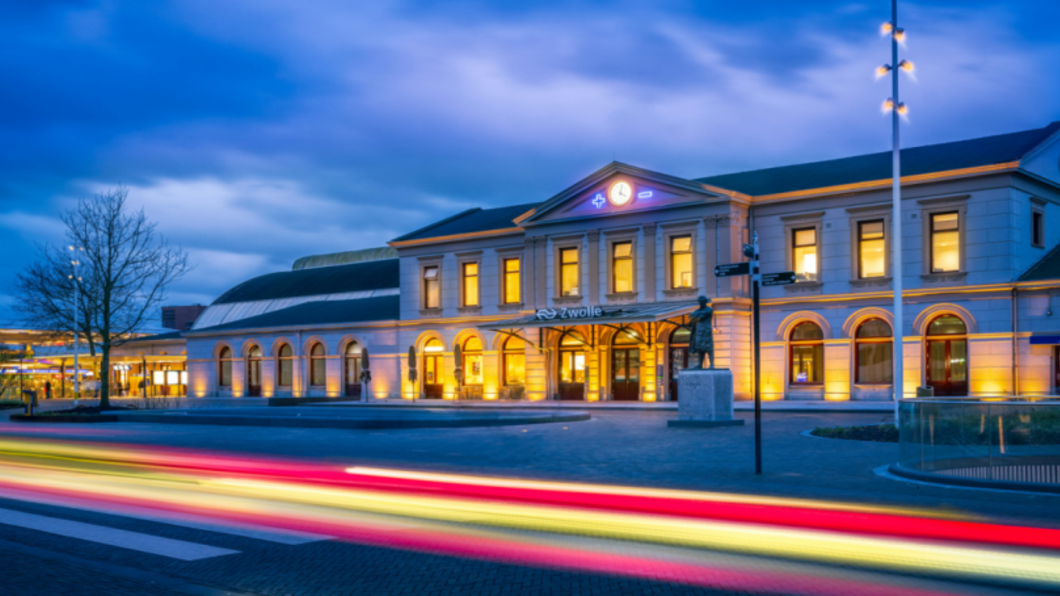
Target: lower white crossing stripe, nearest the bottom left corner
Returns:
[[113, 537]]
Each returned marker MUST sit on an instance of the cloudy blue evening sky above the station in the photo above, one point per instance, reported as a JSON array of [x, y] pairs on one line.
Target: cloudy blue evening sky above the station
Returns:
[[256, 132]]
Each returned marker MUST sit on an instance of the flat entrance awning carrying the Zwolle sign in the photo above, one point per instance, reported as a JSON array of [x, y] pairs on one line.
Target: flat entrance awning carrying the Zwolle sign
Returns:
[[655, 312]]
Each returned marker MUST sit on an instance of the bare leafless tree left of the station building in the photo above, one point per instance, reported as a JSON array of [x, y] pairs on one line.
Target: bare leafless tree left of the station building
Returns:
[[126, 268]]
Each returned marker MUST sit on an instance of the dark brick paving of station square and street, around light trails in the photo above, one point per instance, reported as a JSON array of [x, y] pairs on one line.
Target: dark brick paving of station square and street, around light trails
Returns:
[[614, 448]]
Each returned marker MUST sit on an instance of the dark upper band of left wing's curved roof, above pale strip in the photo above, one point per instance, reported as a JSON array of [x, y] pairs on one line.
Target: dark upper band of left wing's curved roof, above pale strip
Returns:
[[316, 282]]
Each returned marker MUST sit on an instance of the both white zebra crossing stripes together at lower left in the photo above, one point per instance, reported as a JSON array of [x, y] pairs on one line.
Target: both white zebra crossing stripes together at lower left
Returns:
[[182, 550]]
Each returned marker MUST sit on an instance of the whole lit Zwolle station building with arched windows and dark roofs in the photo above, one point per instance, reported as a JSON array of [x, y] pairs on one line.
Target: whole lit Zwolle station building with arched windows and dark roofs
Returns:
[[586, 296]]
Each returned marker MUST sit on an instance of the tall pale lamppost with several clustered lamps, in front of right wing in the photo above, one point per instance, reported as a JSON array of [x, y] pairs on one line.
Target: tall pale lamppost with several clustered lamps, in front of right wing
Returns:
[[897, 111]]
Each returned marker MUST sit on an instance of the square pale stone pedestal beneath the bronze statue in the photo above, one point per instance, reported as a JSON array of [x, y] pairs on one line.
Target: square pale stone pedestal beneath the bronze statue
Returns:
[[705, 399]]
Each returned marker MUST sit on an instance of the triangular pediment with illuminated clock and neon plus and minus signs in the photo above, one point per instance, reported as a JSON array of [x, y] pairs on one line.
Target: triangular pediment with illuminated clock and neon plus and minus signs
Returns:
[[602, 195]]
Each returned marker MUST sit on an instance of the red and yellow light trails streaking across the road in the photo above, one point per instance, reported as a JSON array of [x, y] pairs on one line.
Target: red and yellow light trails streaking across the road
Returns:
[[544, 523]]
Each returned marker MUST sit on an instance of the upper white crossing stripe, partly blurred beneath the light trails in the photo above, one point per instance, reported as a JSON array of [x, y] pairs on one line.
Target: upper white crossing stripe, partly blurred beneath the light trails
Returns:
[[174, 519]]
